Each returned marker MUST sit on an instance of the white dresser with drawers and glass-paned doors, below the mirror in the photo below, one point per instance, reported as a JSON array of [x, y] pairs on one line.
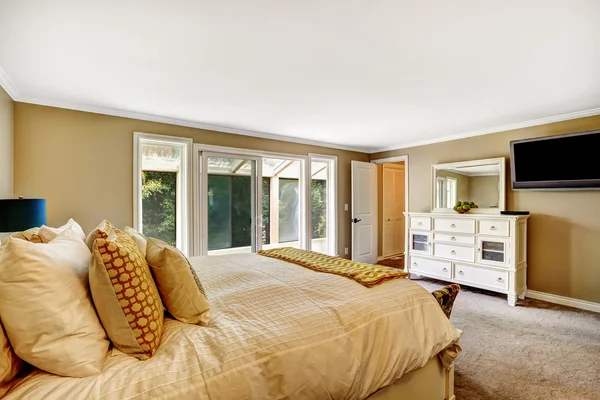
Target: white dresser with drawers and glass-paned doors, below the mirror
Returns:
[[488, 251]]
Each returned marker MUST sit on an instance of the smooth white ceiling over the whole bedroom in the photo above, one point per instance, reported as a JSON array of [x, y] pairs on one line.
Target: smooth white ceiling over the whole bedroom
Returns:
[[367, 75]]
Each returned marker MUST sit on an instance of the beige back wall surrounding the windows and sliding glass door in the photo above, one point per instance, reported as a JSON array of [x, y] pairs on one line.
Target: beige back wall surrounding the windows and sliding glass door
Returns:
[[82, 163]]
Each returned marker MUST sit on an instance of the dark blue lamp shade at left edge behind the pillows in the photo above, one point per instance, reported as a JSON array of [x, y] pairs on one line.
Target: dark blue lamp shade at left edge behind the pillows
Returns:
[[21, 214]]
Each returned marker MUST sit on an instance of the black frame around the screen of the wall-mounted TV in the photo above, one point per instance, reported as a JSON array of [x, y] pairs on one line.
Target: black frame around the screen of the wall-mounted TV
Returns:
[[582, 184]]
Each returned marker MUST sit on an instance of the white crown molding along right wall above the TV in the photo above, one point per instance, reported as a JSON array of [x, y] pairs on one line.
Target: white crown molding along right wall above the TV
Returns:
[[519, 125]]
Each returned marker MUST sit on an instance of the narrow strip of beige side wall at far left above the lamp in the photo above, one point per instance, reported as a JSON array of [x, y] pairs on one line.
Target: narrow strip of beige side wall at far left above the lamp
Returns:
[[6, 144]]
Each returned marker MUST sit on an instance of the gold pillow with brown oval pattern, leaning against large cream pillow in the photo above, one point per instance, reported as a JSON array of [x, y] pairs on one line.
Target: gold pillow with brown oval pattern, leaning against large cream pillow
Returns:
[[126, 296]]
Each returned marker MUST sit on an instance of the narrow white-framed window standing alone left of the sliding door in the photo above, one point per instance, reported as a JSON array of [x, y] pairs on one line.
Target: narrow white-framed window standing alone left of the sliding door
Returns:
[[161, 188]]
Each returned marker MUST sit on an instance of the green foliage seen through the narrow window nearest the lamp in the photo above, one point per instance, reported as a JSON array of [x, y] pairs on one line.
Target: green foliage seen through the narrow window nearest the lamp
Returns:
[[159, 199]]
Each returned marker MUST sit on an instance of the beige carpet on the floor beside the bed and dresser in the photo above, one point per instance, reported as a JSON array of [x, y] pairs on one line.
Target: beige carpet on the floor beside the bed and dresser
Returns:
[[536, 350]]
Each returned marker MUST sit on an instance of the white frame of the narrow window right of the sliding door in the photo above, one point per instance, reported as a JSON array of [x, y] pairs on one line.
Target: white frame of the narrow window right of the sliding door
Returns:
[[332, 199]]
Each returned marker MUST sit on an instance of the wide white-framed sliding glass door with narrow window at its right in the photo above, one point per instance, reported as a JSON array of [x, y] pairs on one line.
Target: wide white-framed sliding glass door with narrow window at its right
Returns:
[[248, 200]]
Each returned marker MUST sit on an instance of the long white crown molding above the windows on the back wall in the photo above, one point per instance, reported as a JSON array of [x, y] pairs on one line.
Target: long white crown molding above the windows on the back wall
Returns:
[[180, 122]]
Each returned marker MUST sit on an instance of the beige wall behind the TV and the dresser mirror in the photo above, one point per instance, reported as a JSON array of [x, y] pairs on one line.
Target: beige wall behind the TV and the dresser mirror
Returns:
[[564, 228]]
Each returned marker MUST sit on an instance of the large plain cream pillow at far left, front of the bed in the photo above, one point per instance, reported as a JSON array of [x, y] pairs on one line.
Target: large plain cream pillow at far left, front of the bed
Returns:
[[48, 284]]
